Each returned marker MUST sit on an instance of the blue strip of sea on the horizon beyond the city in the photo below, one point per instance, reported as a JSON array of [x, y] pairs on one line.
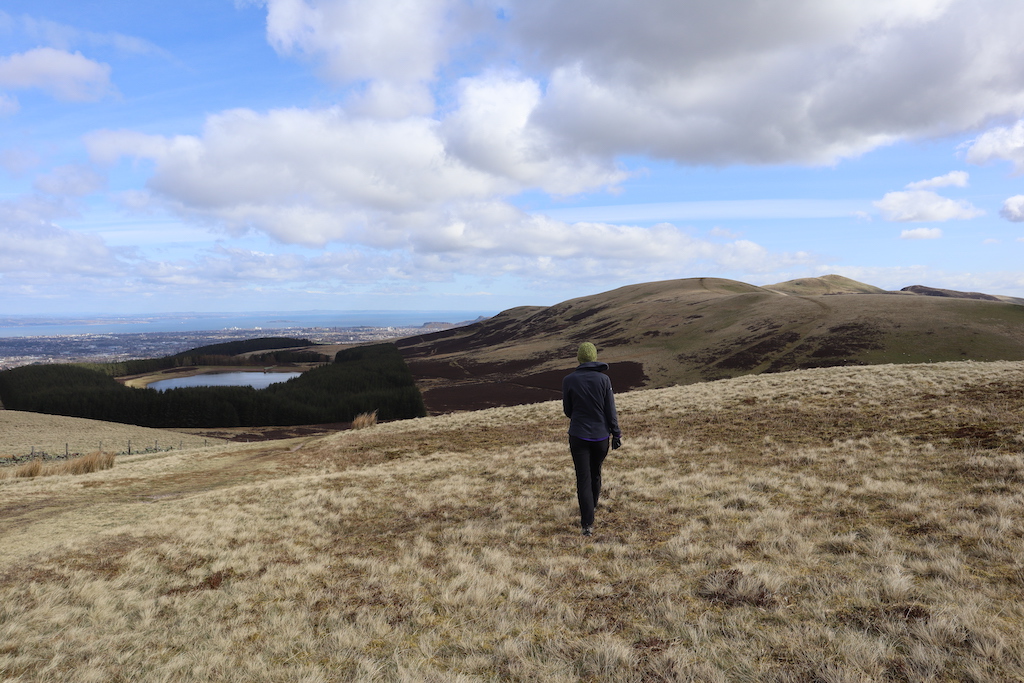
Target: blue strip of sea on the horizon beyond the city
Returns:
[[48, 326]]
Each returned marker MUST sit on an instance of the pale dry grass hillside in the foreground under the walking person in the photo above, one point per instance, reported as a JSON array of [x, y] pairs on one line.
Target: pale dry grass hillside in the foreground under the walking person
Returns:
[[834, 525]]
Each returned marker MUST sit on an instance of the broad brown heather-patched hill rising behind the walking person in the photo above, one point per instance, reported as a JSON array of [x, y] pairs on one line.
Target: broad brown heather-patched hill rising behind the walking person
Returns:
[[701, 329]]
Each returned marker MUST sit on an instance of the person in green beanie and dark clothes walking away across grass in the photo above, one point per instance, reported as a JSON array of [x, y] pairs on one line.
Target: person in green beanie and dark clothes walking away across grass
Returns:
[[590, 404]]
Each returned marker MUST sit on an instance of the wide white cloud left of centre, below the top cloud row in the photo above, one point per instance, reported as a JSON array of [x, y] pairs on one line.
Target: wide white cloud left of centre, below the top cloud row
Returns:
[[317, 177]]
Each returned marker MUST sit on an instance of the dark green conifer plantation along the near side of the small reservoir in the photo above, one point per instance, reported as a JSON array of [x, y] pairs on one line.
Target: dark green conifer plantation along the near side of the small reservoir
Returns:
[[361, 380]]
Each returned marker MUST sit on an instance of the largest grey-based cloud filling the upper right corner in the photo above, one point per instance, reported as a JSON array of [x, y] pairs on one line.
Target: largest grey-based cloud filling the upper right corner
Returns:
[[769, 82]]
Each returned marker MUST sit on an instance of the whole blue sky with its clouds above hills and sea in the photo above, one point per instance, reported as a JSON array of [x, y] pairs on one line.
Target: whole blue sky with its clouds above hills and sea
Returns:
[[479, 155]]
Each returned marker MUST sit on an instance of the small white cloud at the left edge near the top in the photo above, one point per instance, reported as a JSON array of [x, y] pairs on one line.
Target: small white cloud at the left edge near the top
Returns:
[[67, 76]]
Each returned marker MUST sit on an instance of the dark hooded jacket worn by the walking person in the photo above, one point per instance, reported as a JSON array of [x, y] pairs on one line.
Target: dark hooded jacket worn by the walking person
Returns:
[[589, 403]]
